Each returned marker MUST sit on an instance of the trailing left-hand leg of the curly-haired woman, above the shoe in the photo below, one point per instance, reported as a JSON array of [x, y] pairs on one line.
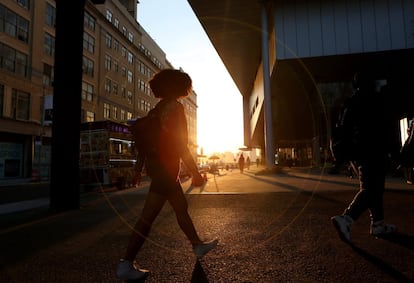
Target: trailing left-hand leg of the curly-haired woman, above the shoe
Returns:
[[152, 207]]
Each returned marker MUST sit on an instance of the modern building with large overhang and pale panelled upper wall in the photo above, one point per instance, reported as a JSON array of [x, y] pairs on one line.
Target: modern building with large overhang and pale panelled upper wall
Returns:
[[293, 62]]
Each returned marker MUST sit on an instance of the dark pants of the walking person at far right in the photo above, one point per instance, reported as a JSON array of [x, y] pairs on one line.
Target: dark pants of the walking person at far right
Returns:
[[370, 195]]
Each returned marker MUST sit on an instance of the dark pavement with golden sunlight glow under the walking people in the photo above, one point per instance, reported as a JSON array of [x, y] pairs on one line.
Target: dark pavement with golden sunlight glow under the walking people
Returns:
[[272, 227]]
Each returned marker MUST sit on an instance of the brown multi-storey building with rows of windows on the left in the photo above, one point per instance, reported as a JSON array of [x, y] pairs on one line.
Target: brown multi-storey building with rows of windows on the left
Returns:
[[118, 59]]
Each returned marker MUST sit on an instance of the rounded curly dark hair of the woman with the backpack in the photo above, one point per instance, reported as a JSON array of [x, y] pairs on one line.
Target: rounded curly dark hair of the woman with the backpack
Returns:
[[170, 83]]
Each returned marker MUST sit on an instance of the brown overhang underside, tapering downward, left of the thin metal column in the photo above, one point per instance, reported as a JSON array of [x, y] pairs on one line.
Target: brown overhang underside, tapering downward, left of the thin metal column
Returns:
[[233, 27]]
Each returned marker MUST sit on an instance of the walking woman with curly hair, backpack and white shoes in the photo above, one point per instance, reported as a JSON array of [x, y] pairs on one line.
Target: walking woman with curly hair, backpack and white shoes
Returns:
[[163, 167]]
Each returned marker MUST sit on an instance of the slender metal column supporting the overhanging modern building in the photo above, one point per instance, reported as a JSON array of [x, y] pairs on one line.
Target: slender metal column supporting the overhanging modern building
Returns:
[[268, 121]]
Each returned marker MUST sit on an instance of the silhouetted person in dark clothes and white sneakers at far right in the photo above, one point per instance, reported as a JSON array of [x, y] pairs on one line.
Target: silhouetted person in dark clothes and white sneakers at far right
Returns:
[[364, 122]]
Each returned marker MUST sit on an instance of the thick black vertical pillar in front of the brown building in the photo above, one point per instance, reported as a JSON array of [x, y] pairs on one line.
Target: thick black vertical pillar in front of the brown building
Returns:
[[64, 182]]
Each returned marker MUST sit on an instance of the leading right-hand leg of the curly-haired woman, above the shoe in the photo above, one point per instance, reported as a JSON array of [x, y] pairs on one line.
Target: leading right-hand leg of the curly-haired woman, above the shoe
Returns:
[[179, 204]]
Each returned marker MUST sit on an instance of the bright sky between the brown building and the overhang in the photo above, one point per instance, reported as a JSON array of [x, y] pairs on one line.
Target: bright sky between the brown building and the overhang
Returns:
[[177, 31]]
